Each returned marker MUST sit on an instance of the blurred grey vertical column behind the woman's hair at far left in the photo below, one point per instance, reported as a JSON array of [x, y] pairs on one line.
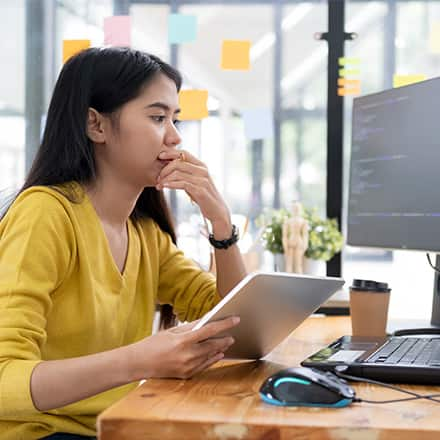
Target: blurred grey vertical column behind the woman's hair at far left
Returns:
[[34, 82]]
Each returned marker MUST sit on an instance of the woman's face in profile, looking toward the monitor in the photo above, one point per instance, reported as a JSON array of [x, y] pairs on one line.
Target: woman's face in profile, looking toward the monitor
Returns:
[[146, 126]]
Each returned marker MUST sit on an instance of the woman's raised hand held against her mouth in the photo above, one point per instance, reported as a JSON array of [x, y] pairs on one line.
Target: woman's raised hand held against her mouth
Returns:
[[184, 171]]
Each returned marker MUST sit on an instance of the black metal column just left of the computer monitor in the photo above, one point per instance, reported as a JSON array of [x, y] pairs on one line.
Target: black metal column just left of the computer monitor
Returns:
[[335, 113]]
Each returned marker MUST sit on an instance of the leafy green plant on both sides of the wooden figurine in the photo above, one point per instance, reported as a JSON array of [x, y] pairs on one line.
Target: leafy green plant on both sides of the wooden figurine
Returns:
[[325, 239]]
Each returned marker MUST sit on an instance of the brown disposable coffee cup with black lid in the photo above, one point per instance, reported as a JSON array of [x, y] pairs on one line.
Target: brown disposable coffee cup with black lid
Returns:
[[369, 302]]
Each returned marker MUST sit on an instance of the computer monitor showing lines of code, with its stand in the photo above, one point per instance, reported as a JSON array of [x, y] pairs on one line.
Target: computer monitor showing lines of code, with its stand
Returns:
[[394, 190]]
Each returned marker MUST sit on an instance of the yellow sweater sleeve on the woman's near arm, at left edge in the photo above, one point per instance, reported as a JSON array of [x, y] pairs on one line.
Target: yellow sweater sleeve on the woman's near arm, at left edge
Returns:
[[36, 238]]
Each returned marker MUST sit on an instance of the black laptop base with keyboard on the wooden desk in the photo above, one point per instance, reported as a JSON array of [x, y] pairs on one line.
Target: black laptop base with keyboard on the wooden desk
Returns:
[[411, 359]]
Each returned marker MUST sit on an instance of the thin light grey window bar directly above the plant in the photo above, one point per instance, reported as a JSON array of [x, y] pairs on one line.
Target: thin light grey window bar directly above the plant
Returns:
[[277, 72]]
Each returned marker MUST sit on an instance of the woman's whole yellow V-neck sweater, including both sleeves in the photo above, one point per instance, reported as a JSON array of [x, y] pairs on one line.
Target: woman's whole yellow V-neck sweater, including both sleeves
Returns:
[[62, 296]]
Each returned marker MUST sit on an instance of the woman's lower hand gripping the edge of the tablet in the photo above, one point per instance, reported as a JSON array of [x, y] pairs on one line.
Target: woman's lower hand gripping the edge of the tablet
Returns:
[[180, 352]]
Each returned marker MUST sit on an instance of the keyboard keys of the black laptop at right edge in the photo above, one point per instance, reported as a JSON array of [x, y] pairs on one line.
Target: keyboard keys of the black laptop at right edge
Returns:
[[409, 351]]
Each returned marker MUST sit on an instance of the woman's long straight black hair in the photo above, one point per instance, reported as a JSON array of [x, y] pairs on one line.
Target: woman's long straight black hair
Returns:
[[105, 79]]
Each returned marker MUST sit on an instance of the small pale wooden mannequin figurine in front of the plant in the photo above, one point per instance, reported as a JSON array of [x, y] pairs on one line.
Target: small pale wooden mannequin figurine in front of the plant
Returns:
[[295, 239]]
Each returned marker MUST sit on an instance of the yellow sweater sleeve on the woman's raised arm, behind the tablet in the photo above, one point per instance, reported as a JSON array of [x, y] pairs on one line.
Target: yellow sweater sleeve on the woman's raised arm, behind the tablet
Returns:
[[182, 283]]
